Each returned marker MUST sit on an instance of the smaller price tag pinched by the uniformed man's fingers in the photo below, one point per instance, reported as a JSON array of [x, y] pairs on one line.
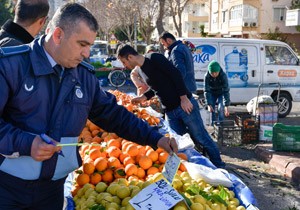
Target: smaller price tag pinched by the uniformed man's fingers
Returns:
[[171, 167]]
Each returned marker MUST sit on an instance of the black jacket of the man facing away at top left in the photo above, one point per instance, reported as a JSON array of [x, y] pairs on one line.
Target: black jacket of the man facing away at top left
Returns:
[[12, 34]]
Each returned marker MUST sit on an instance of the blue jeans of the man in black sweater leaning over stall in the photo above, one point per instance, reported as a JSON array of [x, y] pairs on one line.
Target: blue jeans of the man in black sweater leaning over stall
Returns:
[[192, 123]]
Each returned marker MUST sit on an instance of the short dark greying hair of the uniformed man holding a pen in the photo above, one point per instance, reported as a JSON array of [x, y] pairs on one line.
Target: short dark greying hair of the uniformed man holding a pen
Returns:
[[68, 17]]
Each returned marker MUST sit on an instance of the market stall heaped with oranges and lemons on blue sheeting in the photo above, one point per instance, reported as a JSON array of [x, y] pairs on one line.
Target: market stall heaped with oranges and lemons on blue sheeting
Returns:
[[115, 170]]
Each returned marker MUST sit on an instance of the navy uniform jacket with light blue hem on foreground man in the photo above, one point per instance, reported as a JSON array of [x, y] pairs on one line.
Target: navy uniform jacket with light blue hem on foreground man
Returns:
[[33, 101]]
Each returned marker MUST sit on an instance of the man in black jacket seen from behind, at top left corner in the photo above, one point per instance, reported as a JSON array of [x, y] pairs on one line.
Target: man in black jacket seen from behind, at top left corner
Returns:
[[30, 17]]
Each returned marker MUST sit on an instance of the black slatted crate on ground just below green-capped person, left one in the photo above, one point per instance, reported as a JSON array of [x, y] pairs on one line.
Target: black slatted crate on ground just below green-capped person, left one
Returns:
[[227, 133]]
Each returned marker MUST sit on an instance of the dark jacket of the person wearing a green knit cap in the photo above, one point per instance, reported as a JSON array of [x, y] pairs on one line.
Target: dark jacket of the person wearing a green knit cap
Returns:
[[216, 87]]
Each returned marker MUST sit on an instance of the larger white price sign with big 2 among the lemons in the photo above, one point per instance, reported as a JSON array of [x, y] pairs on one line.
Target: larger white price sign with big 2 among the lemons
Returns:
[[159, 195]]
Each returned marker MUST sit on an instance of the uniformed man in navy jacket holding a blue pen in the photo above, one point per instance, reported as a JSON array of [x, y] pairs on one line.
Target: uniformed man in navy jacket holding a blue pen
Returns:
[[49, 90]]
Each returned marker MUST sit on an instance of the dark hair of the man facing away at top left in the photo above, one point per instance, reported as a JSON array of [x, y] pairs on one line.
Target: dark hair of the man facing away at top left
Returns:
[[29, 11]]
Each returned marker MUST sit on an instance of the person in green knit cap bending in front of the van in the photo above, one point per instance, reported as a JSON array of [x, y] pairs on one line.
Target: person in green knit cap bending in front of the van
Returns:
[[216, 89]]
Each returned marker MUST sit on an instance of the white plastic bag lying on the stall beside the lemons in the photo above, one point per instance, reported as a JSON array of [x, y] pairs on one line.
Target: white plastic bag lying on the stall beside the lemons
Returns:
[[214, 177]]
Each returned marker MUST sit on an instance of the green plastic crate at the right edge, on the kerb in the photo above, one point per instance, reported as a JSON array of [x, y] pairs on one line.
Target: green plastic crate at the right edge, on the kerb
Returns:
[[286, 138]]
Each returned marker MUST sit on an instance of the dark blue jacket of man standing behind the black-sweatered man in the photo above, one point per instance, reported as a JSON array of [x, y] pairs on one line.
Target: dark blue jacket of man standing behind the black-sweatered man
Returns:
[[182, 59]]
